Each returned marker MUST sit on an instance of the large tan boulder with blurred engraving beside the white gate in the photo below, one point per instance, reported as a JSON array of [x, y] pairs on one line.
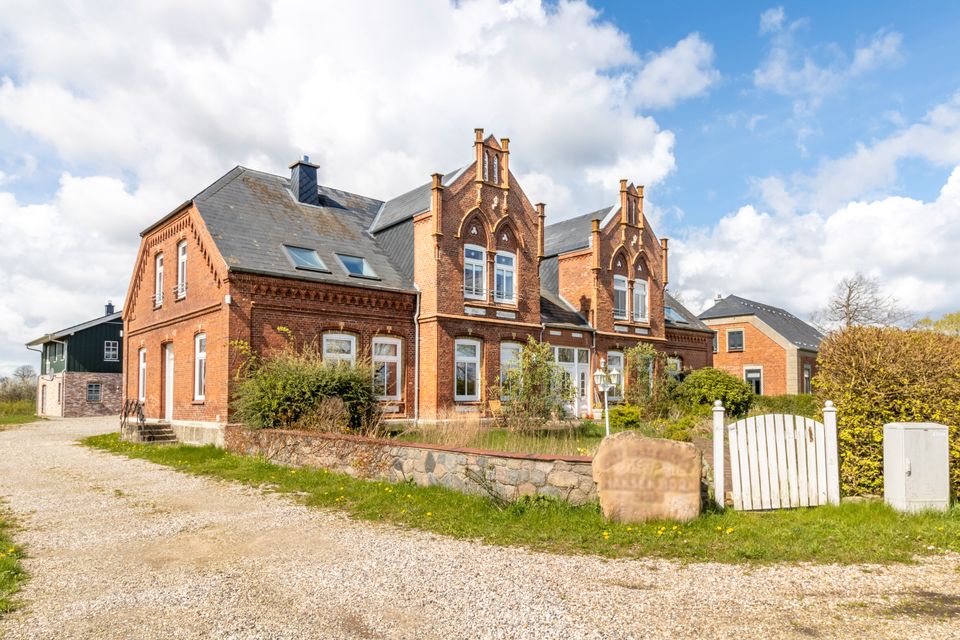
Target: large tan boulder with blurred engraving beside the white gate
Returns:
[[641, 478]]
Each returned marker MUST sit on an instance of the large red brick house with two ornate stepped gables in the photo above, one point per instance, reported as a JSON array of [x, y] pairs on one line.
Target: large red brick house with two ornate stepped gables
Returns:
[[438, 287]]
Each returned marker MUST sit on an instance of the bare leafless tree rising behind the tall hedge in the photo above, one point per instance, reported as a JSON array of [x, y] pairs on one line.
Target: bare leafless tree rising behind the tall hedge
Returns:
[[859, 301]]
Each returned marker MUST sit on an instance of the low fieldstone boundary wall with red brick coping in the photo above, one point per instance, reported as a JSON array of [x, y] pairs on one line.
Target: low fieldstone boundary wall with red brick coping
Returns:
[[510, 475]]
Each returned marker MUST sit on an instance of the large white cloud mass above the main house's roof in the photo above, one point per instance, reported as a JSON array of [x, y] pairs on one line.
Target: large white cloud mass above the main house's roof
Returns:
[[147, 103]]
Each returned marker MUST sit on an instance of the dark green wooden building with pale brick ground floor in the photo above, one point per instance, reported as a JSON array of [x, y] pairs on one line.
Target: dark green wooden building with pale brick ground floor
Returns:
[[81, 368]]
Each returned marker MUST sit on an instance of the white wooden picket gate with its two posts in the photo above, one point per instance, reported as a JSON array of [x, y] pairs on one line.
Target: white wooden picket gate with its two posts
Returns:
[[777, 461]]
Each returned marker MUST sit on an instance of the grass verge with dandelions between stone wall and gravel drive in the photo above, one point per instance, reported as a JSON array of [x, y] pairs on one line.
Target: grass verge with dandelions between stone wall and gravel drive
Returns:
[[850, 533]]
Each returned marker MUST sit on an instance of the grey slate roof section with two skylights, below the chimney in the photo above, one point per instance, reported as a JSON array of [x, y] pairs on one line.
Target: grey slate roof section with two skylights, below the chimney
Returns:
[[252, 215]]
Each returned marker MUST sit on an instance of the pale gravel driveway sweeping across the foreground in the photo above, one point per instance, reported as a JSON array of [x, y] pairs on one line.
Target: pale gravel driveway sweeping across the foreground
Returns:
[[124, 548]]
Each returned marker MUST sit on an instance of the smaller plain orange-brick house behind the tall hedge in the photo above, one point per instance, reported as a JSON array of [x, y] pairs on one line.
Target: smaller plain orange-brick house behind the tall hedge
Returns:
[[768, 347]]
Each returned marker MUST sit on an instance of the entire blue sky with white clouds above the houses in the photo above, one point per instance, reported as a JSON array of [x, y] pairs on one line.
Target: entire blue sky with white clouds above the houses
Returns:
[[783, 145]]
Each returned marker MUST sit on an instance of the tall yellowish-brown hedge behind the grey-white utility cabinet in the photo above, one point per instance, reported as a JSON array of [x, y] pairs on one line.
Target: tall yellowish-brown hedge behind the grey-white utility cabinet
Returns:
[[880, 375]]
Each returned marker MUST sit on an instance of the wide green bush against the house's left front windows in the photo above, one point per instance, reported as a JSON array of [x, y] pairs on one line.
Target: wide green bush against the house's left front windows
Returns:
[[294, 388]]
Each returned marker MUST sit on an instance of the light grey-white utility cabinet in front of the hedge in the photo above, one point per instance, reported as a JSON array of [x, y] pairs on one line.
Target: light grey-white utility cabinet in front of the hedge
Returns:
[[916, 466]]
